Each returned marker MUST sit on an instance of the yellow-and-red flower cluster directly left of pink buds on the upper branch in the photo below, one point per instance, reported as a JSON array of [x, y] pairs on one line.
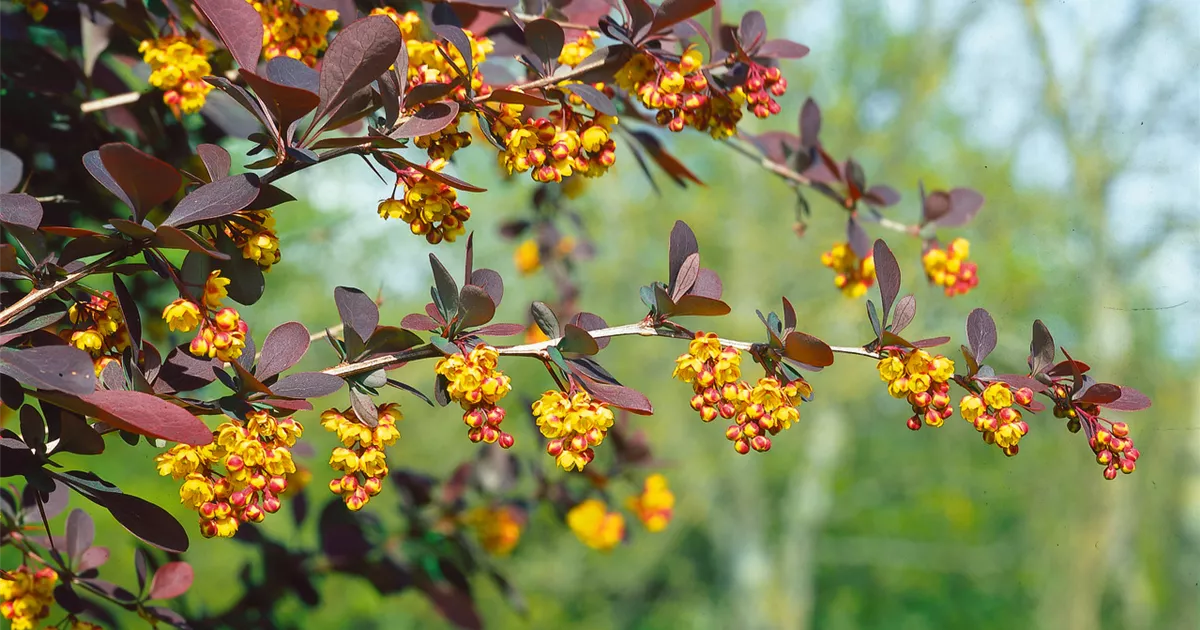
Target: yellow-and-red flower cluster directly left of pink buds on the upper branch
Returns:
[[682, 95]]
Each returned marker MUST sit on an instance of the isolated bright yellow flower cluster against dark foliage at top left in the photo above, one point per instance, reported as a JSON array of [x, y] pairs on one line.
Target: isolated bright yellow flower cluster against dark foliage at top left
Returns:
[[178, 67]]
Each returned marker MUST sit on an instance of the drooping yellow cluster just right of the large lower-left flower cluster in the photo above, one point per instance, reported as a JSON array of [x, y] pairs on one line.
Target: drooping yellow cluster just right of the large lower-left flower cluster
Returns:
[[362, 459]]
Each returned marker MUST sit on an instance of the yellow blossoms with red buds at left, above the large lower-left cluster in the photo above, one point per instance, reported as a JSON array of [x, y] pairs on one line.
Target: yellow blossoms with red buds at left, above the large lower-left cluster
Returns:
[[223, 332]]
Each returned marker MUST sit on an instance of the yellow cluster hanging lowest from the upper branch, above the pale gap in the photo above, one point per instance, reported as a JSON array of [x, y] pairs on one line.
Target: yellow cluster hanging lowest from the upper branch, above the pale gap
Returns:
[[430, 207]]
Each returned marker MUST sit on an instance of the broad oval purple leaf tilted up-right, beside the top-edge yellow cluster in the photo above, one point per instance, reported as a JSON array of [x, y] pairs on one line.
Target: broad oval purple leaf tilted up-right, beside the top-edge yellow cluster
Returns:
[[358, 56]]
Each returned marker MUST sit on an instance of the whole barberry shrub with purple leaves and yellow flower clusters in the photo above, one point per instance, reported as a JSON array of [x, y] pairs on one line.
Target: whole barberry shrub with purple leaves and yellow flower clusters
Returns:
[[406, 89]]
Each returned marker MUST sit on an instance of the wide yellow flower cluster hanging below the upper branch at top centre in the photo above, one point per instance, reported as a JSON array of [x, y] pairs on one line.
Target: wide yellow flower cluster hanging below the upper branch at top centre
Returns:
[[555, 149]]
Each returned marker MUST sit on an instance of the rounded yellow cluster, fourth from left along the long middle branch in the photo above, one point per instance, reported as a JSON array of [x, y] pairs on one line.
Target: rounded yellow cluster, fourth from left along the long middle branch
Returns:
[[575, 424]]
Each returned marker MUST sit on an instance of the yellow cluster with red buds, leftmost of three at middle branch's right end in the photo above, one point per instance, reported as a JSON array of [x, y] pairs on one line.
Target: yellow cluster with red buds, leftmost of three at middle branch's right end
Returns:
[[923, 380]]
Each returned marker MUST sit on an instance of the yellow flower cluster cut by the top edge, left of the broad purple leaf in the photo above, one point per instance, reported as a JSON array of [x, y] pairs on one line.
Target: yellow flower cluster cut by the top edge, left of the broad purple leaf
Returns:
[[293, 31]]
